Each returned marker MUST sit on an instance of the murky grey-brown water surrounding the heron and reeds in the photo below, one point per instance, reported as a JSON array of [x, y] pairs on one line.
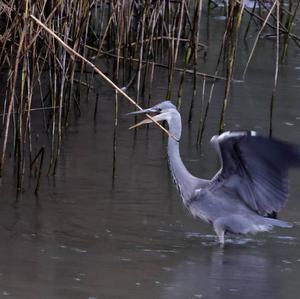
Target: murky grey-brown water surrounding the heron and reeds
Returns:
[[84, 237]]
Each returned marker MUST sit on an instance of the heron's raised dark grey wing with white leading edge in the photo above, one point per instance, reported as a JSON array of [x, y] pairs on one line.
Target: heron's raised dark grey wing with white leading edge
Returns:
[[256, 168]]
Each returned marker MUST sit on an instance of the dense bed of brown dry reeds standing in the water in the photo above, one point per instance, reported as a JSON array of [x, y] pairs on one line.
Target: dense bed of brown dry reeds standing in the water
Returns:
[[140, 37]]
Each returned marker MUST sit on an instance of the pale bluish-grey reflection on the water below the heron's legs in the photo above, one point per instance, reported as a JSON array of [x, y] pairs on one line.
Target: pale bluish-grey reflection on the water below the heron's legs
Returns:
[[228, 273]]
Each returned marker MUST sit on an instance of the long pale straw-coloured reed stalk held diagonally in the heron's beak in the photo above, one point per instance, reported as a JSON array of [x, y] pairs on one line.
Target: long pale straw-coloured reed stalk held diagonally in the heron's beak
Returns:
[[99, 72]]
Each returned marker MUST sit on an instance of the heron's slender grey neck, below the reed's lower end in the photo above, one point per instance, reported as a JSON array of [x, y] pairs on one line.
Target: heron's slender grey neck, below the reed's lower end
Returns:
[[184, 180]]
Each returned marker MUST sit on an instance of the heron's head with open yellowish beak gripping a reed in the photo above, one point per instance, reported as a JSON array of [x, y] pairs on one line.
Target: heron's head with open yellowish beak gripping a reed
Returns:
[[162, 111]]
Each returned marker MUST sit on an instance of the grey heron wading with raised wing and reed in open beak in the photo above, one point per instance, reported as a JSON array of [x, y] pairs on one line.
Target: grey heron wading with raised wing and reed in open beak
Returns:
[[250, 187]]
